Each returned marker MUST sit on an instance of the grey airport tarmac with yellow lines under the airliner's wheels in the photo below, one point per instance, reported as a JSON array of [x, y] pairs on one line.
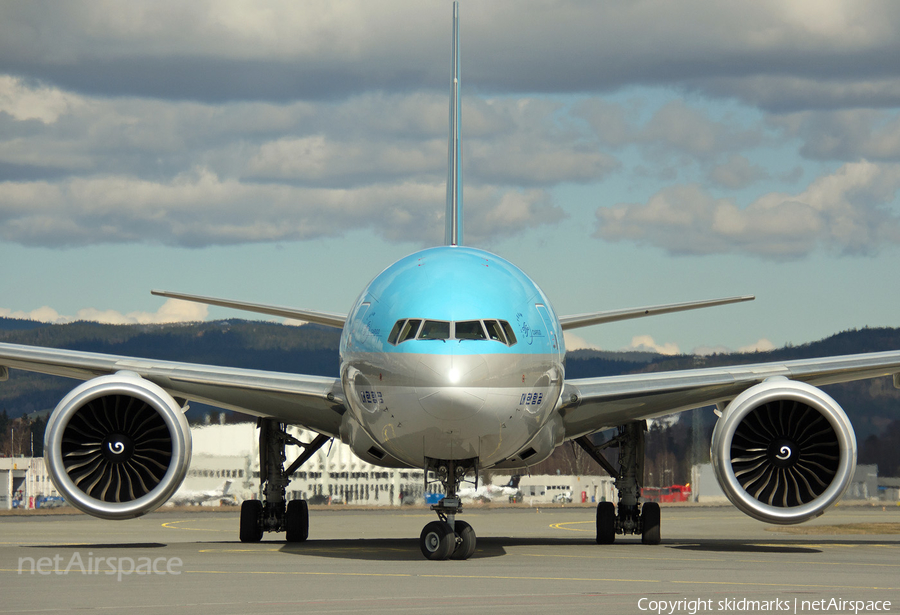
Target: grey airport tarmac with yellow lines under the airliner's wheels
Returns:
[[712, 559]]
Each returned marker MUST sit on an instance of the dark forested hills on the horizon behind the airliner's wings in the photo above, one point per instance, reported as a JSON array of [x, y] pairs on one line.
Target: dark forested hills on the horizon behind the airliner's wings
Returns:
[[313, 349]]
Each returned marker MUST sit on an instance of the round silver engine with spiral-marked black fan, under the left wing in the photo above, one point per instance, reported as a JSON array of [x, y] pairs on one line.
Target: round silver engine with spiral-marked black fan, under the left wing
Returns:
[[117, 446]]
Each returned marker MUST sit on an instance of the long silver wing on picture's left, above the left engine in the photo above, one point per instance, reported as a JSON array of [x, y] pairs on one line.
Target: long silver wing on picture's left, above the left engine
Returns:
[[315, 402]]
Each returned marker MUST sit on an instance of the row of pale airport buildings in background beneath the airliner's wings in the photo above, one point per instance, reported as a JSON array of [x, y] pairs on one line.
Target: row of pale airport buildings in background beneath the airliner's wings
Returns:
[[229, 454]]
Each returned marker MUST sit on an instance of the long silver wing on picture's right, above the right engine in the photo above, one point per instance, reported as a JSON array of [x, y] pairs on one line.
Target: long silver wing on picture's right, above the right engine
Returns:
[[591, 404]]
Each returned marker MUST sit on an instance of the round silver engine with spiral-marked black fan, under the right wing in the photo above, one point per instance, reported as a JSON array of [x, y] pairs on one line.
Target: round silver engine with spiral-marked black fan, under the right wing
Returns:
[[783, 451]]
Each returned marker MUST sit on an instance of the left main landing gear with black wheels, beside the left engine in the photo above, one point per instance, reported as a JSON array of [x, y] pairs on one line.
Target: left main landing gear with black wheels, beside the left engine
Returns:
[[269, 513]]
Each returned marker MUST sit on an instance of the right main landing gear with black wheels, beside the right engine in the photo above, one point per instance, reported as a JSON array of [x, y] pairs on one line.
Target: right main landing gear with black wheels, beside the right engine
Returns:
[[632, 517]]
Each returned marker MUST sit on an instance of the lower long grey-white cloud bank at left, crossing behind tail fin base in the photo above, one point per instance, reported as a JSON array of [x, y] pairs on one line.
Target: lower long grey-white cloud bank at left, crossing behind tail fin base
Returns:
[[201, 209]]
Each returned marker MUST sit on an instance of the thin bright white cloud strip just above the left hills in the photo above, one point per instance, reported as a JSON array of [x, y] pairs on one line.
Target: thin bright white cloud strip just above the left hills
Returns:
[[171, 311]]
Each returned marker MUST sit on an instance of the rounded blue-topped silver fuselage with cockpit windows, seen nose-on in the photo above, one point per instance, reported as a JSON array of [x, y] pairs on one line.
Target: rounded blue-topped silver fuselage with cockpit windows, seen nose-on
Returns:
[[452, 353]]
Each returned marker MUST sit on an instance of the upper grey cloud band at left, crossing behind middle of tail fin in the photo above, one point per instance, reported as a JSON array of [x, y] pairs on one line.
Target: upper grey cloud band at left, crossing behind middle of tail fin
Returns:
[[376, 137]]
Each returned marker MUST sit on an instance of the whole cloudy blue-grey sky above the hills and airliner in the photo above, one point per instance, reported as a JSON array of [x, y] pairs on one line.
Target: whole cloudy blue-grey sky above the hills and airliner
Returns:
[[622, 154]]
